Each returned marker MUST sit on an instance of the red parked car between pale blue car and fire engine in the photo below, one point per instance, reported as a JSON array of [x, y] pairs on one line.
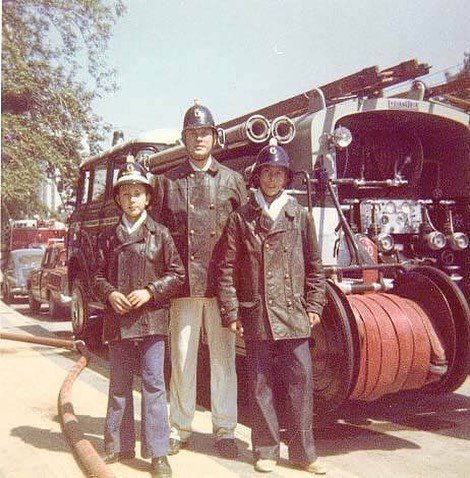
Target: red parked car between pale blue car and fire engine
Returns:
[[48, 283]]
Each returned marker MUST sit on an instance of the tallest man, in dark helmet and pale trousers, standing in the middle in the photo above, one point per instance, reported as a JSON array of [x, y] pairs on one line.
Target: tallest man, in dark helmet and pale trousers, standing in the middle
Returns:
[[194, 201]]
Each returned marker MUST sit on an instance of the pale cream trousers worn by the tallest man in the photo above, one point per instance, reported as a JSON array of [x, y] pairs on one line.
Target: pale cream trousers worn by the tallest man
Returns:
[[187, 317]]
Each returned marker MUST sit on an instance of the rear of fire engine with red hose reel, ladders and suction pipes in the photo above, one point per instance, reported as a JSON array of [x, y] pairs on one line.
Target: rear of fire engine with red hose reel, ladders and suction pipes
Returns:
[[387, 178]]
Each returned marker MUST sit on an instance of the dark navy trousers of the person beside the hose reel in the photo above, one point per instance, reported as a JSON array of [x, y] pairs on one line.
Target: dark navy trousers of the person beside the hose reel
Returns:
[[289, 361]]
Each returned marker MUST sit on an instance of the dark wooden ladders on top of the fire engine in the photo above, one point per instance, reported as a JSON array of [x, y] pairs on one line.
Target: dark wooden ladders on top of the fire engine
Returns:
[[367, 83]]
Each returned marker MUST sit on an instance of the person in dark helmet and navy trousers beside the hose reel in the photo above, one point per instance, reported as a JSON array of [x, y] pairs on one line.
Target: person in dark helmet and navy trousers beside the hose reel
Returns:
[[271, 292]]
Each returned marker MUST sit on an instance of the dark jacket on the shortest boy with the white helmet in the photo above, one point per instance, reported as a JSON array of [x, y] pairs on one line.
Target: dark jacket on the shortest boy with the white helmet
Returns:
[[149, 259]]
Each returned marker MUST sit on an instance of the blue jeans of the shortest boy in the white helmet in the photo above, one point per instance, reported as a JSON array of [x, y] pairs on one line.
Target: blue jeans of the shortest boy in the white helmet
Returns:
[[119, 433]]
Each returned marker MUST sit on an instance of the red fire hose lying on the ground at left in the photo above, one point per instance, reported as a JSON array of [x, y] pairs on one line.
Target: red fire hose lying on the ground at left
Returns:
[[86, 454]]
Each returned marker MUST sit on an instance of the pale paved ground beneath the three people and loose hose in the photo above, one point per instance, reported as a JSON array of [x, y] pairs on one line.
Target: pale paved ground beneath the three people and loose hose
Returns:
[[401, 436]]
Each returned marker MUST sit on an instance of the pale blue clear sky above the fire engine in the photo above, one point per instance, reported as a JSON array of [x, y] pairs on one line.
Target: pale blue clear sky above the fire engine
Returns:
[[240, 55]]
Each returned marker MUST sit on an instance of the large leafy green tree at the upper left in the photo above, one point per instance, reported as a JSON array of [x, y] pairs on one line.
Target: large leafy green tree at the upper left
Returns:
[[53, 67]]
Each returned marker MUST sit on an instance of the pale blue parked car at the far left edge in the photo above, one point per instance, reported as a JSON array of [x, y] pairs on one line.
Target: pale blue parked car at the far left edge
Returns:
[[18, 266]]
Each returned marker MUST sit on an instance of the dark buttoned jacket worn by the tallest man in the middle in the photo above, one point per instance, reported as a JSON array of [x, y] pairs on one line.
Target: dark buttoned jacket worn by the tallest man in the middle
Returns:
[[195, 207]]
